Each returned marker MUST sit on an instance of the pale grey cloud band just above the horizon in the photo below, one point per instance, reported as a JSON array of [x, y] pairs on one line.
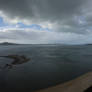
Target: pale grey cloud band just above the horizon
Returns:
[[43, 37]]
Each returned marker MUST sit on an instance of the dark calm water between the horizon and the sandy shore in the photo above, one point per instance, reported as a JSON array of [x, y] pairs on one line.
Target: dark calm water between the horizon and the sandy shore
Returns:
[[49, 65]]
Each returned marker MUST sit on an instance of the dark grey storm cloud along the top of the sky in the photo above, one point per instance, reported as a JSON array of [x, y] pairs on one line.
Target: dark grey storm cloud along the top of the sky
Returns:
[[42, 10]]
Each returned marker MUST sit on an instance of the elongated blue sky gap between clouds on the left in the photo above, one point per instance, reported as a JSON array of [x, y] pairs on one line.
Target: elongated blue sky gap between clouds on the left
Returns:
[[20, 25]]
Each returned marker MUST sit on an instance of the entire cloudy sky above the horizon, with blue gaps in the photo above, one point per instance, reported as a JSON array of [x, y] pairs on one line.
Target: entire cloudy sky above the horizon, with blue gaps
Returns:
[[46, 21]]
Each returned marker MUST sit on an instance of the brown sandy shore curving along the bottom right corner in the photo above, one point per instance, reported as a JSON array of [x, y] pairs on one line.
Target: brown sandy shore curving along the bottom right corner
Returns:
[[77, 85]]
